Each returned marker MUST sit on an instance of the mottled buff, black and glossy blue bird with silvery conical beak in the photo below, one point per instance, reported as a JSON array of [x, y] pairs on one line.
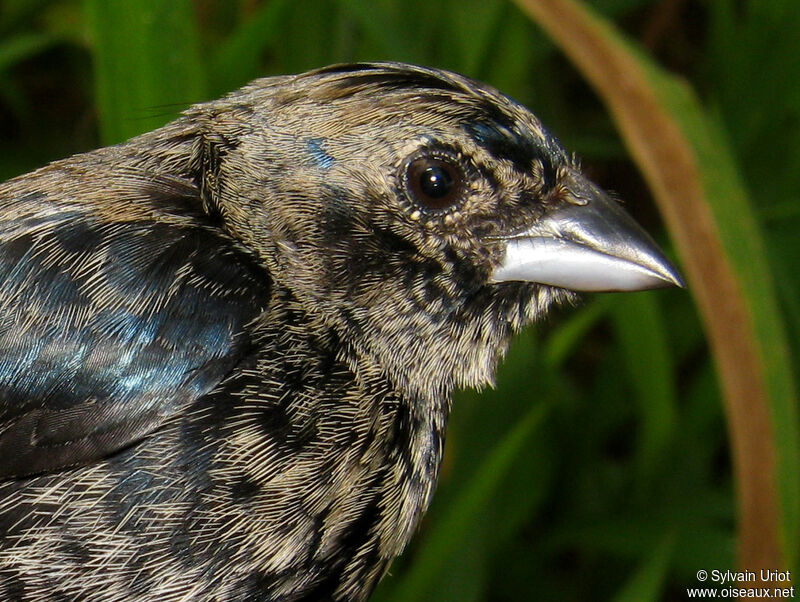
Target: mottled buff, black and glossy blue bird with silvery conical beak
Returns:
[[228, 346]]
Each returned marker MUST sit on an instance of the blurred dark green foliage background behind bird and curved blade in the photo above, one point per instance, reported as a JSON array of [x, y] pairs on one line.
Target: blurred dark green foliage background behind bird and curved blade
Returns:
[[598, 468]]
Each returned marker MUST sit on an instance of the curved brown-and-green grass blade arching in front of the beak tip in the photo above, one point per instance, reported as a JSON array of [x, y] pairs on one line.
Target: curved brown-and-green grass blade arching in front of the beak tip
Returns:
[[685, 155]]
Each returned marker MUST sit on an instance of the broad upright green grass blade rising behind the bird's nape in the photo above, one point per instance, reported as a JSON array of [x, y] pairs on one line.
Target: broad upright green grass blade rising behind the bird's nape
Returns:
[[147, 63]]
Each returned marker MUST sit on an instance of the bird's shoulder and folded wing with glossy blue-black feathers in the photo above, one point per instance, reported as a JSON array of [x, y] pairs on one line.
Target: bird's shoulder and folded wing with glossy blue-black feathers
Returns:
[[119, 305]]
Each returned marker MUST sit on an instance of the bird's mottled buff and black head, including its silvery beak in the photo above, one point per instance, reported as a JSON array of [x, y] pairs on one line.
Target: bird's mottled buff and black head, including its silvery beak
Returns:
[[424, 216]]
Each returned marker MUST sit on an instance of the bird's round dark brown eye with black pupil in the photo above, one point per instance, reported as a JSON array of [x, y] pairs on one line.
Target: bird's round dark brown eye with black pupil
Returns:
[[434, 183]]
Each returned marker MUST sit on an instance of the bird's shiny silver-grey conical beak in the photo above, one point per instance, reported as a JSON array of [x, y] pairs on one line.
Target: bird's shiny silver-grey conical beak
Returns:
[[588, 244]]
